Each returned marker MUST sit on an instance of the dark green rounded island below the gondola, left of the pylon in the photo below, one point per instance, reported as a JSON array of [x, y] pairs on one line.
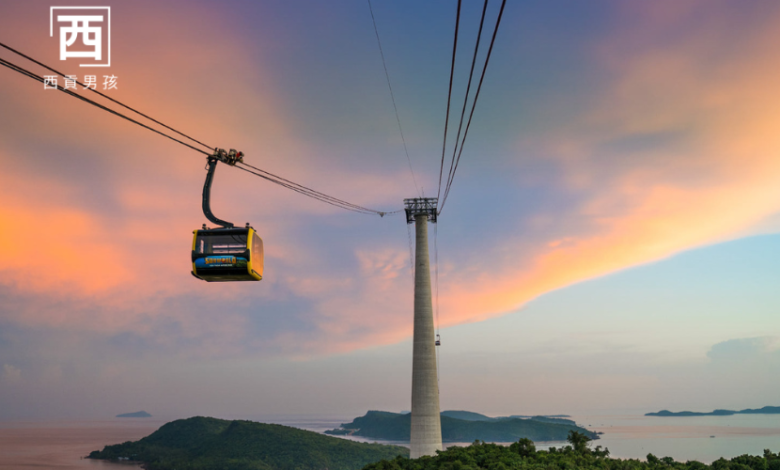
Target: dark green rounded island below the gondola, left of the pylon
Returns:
[[201, 443]]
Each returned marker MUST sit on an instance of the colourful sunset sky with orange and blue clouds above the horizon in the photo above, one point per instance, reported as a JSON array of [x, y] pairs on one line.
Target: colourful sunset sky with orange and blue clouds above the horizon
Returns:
[[608, 245]]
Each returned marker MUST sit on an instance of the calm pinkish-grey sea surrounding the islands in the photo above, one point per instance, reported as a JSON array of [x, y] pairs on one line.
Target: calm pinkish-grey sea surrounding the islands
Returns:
[[64, 444]]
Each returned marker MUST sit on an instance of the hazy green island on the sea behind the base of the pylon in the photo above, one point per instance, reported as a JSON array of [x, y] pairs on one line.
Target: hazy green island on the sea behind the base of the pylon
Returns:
[[463, 426]]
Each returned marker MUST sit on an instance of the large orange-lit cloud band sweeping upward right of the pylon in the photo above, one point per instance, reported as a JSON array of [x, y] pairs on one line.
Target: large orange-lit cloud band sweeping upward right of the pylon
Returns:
[[718, 179]]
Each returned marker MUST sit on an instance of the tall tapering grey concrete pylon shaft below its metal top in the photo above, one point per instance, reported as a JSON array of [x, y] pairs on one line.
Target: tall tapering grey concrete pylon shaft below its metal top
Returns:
[[426, 419]]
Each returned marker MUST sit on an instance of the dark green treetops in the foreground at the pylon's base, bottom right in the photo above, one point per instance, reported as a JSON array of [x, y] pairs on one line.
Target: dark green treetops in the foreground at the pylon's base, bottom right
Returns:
[[522, 455]]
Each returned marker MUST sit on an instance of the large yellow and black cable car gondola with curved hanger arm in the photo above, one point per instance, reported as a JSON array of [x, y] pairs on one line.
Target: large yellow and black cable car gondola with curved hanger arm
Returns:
[[227, 253]]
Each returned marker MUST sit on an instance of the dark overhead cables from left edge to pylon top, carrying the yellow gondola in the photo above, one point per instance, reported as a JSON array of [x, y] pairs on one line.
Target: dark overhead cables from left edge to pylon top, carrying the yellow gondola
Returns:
[[322, 197]]
